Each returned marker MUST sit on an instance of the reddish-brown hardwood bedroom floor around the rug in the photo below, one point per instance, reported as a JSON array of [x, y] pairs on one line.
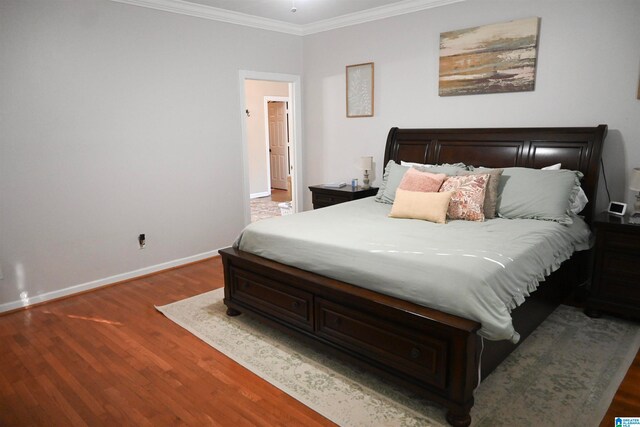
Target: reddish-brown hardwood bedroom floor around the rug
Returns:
[[108, 357]]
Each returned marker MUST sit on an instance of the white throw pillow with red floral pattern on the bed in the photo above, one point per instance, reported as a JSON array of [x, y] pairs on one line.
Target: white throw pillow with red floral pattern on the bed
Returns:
[[467, 201]]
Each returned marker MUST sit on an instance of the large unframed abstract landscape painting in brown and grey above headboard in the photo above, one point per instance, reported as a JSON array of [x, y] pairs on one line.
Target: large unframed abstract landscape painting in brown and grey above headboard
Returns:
[[489, 59]]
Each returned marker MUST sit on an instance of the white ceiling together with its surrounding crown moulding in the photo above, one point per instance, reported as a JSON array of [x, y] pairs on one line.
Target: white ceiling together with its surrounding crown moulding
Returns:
[[311, 16]]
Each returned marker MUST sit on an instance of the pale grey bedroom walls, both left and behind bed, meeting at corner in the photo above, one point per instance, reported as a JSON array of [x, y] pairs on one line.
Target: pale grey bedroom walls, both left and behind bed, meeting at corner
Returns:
[[117, 120]]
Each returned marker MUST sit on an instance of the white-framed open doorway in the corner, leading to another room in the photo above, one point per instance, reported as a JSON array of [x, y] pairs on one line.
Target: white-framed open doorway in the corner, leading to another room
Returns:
[[271, 177]]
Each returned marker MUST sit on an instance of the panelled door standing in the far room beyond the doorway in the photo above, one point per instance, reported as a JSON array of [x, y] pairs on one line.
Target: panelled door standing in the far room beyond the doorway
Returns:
[[278, 138]]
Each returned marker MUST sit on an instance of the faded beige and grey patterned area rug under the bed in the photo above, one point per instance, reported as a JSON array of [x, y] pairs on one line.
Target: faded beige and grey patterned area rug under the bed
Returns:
[[565, 373]]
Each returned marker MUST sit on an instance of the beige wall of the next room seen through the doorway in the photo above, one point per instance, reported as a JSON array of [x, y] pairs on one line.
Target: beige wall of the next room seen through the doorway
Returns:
[[255, 91]]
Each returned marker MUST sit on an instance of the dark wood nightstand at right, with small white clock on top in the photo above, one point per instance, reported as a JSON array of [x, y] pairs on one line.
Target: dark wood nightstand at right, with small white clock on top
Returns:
[[615, 286]]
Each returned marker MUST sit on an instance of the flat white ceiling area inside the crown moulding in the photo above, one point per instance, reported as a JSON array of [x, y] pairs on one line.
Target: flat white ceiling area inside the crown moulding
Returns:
[[308, 11]]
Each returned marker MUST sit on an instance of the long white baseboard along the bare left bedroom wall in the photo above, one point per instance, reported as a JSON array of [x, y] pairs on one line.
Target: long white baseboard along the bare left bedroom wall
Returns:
[[104, 282]]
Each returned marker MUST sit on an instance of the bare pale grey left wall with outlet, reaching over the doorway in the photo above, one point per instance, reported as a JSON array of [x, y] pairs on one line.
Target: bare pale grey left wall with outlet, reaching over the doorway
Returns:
[[117, 120]]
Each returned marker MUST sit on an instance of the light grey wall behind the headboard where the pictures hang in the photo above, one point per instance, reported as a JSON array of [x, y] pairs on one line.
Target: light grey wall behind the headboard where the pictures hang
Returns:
[[587, 74]]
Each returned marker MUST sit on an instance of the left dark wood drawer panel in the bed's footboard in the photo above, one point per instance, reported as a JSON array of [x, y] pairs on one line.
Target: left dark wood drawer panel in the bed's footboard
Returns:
[[272, 298]]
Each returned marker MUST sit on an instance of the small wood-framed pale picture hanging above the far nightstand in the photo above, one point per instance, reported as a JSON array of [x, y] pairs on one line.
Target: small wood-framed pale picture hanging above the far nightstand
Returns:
[[360, 90]]
